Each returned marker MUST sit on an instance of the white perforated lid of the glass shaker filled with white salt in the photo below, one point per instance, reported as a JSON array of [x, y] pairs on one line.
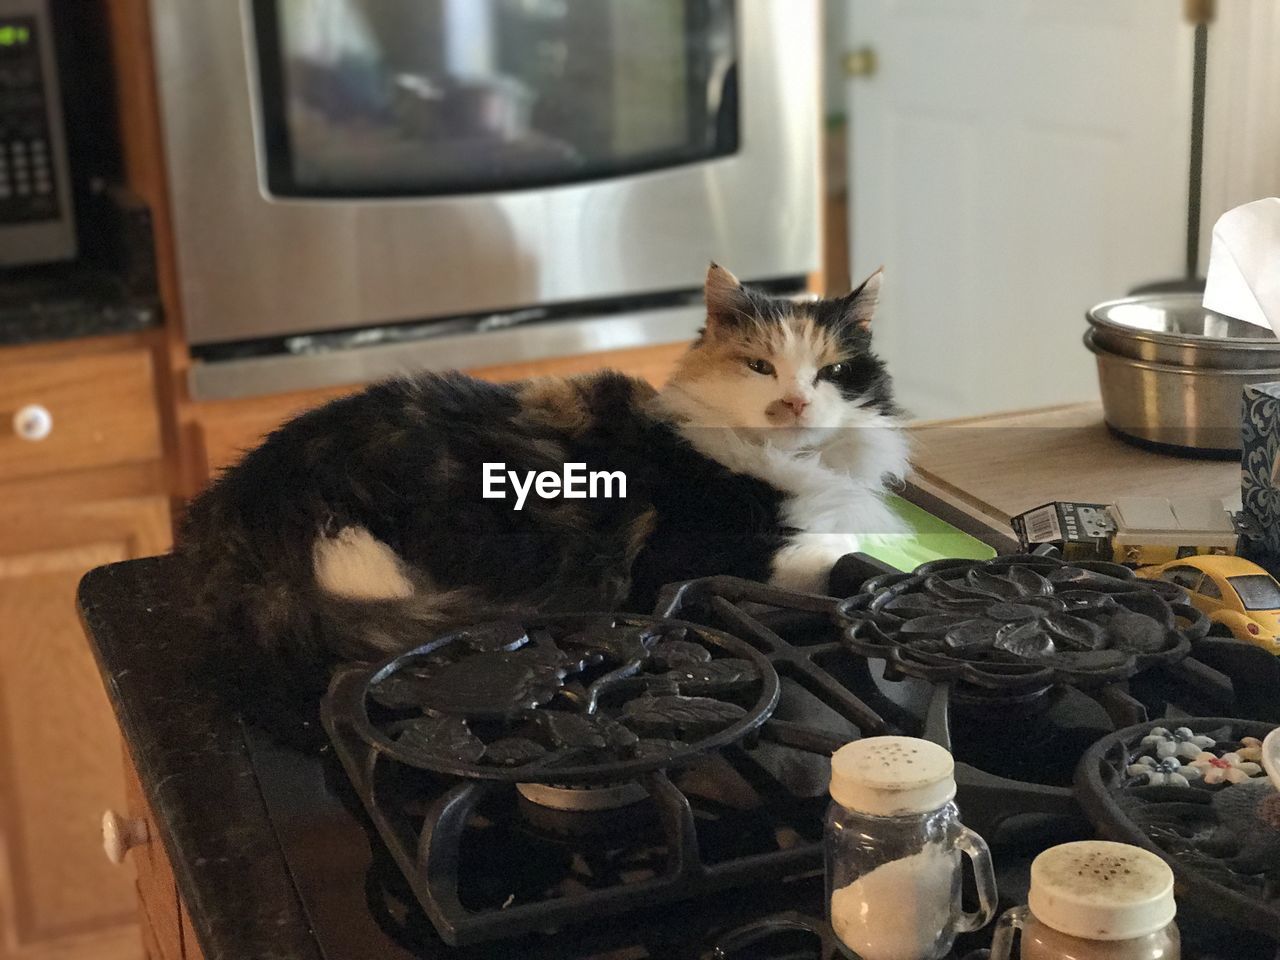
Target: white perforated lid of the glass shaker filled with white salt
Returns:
[[893, 776]]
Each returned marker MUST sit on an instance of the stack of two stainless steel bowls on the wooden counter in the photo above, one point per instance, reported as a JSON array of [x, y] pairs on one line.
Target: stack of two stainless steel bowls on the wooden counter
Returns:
[[1172, 373]]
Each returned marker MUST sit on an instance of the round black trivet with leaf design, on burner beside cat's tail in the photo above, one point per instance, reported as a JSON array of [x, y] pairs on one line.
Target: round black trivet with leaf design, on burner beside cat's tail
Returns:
[[569, 701]]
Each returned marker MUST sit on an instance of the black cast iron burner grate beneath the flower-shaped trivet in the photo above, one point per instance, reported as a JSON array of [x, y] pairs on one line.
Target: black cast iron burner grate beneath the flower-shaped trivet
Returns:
[[1017, 746]]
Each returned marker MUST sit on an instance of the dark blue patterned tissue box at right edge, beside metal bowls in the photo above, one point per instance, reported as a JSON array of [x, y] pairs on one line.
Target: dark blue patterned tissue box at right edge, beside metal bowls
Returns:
[[1260, 476]]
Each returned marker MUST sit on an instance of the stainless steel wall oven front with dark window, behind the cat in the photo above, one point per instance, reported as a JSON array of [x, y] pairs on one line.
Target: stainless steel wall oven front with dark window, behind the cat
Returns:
[[337, 166]]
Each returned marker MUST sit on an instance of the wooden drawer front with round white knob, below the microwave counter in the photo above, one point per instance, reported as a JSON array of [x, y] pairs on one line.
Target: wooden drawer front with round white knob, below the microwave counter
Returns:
[[103, 409]]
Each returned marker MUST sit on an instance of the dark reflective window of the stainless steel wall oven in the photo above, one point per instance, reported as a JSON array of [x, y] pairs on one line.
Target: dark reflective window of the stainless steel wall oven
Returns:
[[424, 98]]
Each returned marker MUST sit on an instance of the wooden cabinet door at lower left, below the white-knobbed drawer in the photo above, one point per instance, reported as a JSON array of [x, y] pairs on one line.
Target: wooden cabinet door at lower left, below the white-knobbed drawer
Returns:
[[60, 743]]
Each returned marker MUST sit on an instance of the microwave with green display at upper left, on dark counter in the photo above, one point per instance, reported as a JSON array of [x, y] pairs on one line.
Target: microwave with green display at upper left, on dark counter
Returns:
[[36, 218]]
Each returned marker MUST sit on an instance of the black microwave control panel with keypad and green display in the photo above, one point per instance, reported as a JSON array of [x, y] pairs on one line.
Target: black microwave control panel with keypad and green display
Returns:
[[29, 181]]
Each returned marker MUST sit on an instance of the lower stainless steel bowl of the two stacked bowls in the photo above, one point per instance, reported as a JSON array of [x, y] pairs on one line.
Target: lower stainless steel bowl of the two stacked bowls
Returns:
[[1195, 409]]
